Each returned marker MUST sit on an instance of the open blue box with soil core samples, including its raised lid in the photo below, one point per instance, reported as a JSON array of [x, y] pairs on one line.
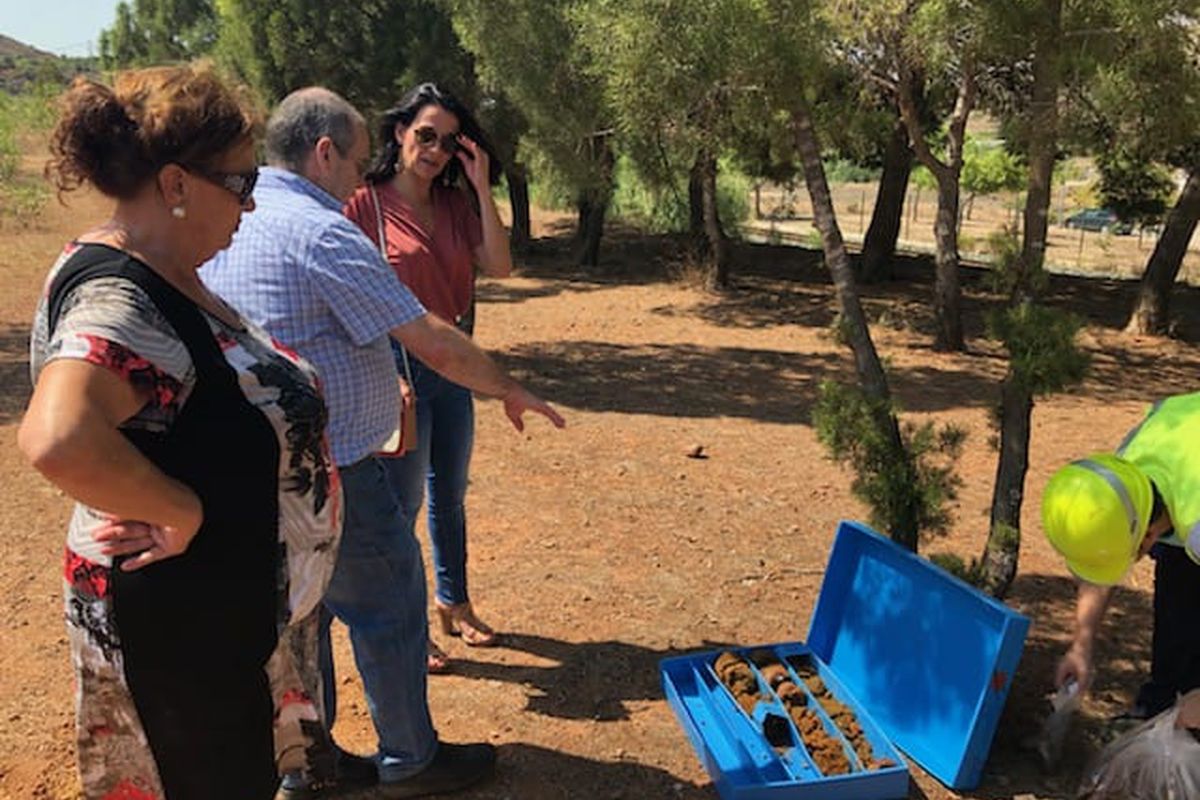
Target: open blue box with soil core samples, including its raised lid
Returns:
[[899, 655]]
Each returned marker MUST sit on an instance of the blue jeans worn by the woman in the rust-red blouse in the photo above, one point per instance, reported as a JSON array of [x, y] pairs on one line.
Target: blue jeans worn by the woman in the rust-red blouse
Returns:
[[446, 434]]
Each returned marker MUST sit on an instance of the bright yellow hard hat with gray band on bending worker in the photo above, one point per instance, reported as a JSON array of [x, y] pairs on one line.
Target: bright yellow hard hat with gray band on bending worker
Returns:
[[1096, 512]]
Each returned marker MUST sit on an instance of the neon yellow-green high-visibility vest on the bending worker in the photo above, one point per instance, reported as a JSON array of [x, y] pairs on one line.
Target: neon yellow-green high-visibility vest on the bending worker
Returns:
[[1167, 447]]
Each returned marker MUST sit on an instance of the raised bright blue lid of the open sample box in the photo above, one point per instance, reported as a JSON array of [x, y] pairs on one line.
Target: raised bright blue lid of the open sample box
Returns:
[[928, 657]]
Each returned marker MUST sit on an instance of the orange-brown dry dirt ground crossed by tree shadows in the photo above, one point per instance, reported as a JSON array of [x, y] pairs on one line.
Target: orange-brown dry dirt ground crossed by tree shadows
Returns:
[[603, 549]]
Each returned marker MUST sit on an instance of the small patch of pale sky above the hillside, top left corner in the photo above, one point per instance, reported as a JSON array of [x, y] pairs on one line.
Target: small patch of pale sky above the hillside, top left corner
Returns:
[[63, 27]]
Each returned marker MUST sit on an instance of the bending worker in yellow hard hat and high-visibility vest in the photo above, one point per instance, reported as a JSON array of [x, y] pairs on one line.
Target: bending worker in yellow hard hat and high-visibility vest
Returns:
[[1105, 513]]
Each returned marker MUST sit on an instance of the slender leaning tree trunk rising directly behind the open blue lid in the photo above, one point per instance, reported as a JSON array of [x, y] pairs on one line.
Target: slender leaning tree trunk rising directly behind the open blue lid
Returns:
[[867, 360]]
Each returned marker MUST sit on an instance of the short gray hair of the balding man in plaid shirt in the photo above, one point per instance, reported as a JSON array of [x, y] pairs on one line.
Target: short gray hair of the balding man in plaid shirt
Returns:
[[302, 119]]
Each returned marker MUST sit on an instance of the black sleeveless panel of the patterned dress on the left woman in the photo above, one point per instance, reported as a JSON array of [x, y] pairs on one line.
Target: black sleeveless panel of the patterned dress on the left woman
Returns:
[[196, 630]]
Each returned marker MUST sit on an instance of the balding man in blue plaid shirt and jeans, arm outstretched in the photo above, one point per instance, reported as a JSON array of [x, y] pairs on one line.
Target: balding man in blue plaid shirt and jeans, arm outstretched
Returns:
[[308, 275]]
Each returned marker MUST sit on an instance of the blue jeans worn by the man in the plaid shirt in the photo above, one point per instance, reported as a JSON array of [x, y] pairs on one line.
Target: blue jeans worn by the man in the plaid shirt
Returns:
[[379, 591]]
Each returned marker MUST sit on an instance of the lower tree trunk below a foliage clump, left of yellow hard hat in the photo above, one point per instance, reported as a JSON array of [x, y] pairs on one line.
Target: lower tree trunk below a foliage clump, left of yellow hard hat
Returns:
[[999, 564]]
